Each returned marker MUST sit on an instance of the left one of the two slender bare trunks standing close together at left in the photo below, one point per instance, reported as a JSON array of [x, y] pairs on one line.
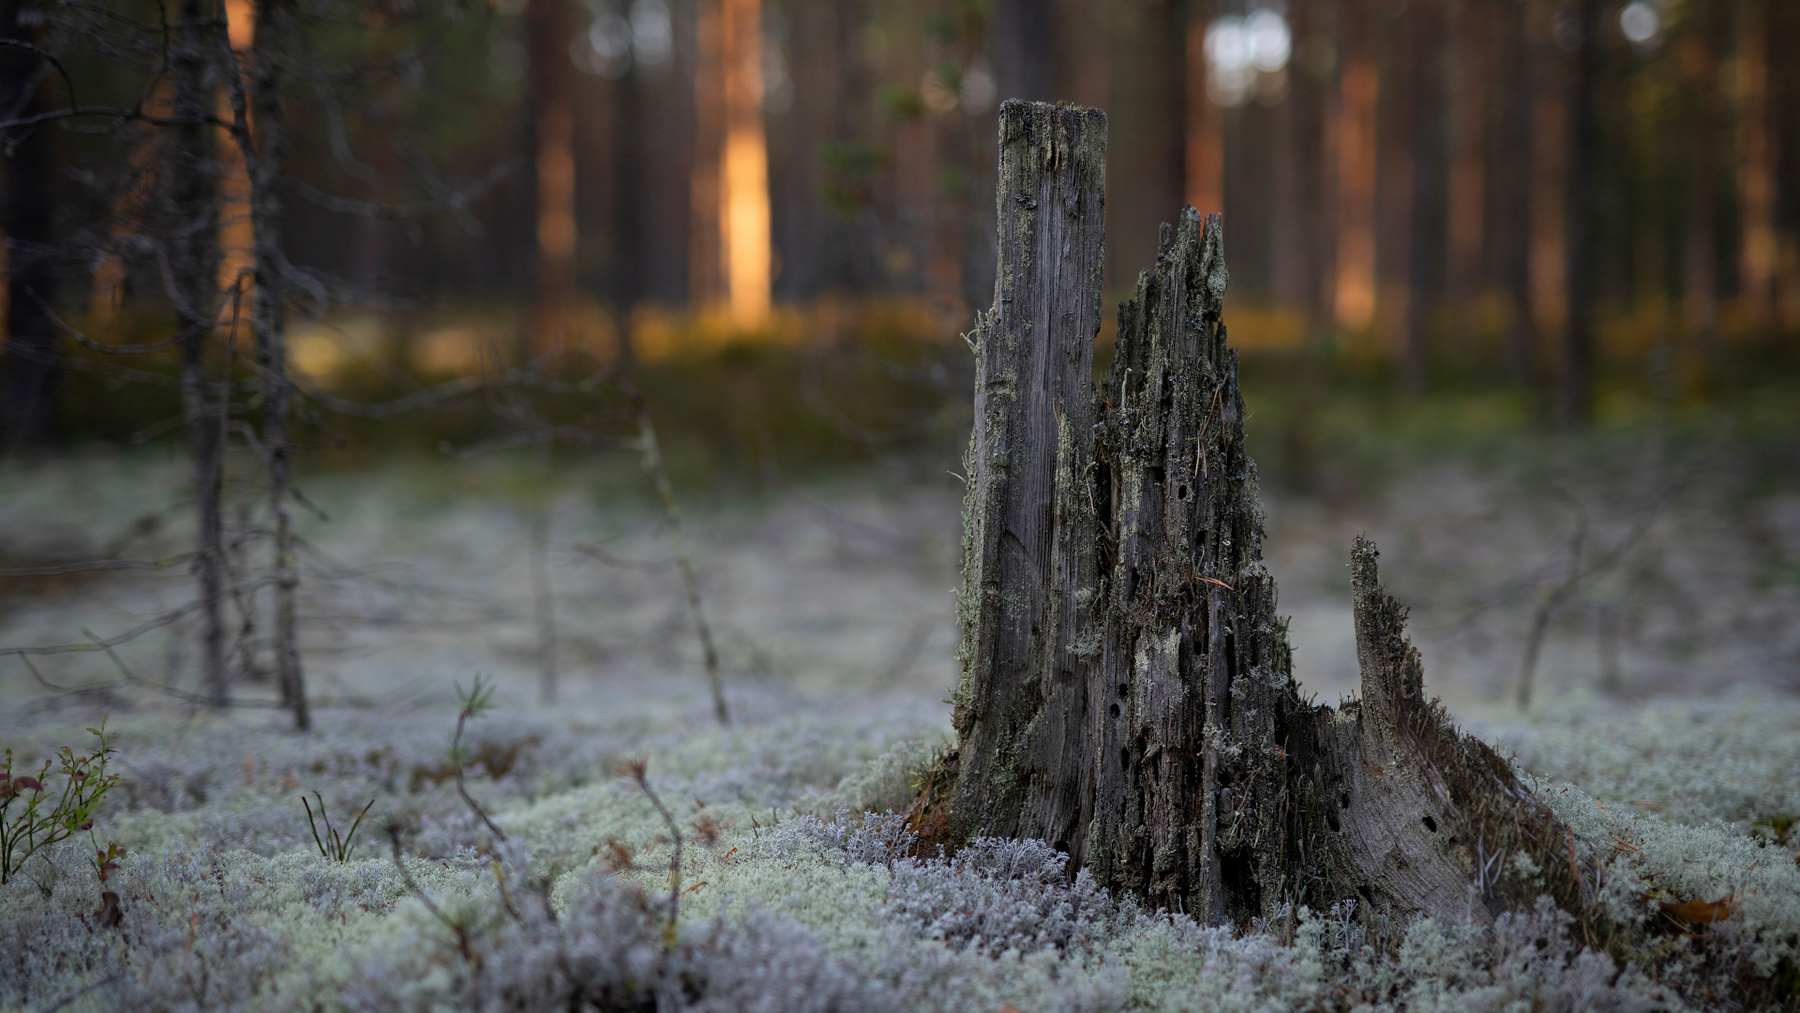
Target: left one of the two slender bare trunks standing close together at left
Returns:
[[195, 226]]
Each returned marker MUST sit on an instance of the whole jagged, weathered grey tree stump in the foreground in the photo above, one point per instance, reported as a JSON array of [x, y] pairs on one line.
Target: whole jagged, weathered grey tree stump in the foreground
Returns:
[[1128, 686]]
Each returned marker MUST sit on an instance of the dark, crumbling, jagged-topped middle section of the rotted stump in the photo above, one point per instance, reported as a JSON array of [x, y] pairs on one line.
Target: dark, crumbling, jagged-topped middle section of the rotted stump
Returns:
[[1196, 663]]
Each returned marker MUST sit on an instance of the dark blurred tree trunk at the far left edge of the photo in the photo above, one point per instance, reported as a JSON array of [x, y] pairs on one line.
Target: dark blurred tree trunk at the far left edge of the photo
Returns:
[[30, 373]]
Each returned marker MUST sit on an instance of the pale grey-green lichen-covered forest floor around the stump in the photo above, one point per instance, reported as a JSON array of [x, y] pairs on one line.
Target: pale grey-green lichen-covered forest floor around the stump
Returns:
[[1664, 730]]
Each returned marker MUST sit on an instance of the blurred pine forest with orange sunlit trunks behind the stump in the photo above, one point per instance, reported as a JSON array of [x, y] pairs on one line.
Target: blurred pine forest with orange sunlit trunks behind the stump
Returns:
[[1516, 193]]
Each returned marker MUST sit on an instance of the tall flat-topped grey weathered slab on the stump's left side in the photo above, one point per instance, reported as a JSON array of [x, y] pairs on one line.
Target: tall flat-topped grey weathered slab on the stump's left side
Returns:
[[1021, 708]]
